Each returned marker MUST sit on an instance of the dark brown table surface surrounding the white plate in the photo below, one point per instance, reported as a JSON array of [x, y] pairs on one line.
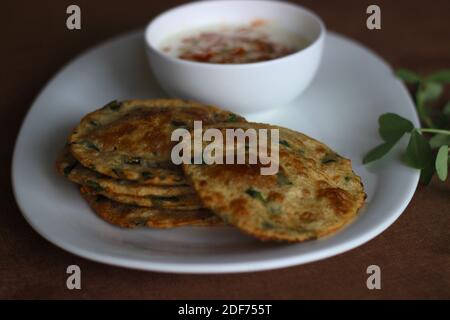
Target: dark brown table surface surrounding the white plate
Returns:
[[414, 253]]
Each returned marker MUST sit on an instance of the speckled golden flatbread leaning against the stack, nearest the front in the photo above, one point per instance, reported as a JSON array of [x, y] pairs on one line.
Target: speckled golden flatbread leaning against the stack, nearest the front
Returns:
[[314, 193]]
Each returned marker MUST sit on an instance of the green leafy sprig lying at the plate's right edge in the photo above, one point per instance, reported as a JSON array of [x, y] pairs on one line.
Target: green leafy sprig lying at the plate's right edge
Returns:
[[420, 152]]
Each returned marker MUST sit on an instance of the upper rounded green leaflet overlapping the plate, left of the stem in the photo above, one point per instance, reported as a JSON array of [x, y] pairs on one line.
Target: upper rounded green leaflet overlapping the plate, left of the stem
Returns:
[[392, 126]]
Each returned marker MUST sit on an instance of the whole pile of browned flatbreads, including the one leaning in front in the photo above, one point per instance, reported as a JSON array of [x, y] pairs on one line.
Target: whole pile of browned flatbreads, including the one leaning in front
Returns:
[[120, 156]]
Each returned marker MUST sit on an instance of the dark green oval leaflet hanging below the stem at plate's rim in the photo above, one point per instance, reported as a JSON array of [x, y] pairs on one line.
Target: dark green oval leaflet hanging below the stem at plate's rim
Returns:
[[418, 153]]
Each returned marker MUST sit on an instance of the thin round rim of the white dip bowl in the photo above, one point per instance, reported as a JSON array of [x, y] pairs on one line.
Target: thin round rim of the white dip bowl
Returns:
[[319, 38]]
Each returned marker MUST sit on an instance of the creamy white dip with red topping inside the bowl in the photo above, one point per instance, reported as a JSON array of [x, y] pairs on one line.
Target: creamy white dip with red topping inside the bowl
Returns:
[[247, 44]]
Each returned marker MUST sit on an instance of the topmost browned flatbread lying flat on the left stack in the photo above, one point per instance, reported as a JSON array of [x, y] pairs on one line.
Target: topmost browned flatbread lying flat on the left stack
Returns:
[[127, 139]]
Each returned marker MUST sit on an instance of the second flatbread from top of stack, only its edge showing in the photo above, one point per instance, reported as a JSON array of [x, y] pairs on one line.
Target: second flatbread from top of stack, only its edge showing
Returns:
[[69, 167]]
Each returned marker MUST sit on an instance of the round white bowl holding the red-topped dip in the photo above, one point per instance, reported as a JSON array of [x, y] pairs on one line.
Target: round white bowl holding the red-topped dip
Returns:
[[243, 88]]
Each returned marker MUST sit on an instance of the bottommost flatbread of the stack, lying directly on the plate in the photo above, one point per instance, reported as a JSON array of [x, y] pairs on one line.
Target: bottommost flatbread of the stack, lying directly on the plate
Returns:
[[128, 216]]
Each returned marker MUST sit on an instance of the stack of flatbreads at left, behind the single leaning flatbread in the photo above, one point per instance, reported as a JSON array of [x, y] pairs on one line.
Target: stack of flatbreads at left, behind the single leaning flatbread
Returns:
[[119, 155]]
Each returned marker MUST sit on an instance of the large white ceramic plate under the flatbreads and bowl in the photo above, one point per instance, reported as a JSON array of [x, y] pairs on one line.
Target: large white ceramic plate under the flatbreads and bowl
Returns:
[[352, 88]]
